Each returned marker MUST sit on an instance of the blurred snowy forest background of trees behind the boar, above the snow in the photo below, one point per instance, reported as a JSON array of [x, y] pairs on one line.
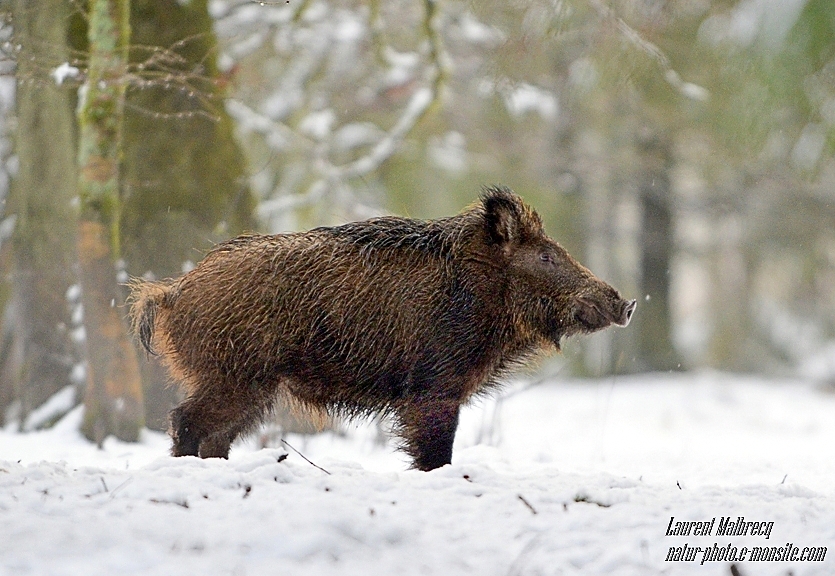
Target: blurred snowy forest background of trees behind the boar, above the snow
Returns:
[[682, 150]]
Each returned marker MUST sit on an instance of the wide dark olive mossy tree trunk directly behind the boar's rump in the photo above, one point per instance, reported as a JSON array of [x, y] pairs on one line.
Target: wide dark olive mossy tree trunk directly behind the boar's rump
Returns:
[[185, 176]]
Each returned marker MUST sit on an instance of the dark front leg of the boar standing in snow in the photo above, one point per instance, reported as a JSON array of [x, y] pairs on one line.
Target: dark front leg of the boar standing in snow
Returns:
[[428, 430]]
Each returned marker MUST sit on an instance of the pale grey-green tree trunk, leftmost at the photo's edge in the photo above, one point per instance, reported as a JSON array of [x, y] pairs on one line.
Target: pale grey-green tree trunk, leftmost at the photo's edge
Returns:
[[41, 198]]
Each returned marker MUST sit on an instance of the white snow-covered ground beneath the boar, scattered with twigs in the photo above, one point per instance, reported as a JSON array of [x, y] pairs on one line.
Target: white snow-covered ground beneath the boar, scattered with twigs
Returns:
[[560, 478]]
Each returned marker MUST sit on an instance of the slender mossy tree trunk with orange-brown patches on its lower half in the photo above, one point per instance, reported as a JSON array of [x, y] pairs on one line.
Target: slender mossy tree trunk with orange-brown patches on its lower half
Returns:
[[113, 402]]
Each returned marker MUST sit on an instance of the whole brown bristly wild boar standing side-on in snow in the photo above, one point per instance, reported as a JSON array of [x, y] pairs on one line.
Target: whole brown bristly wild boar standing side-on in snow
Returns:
[[393, 316]]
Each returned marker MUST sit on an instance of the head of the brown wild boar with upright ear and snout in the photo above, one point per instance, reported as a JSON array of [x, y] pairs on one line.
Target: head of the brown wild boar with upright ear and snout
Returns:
[[550, 294]]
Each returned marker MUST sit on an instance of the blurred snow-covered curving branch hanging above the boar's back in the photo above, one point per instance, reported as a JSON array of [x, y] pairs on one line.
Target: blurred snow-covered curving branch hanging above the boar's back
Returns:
[[331, 179]]
